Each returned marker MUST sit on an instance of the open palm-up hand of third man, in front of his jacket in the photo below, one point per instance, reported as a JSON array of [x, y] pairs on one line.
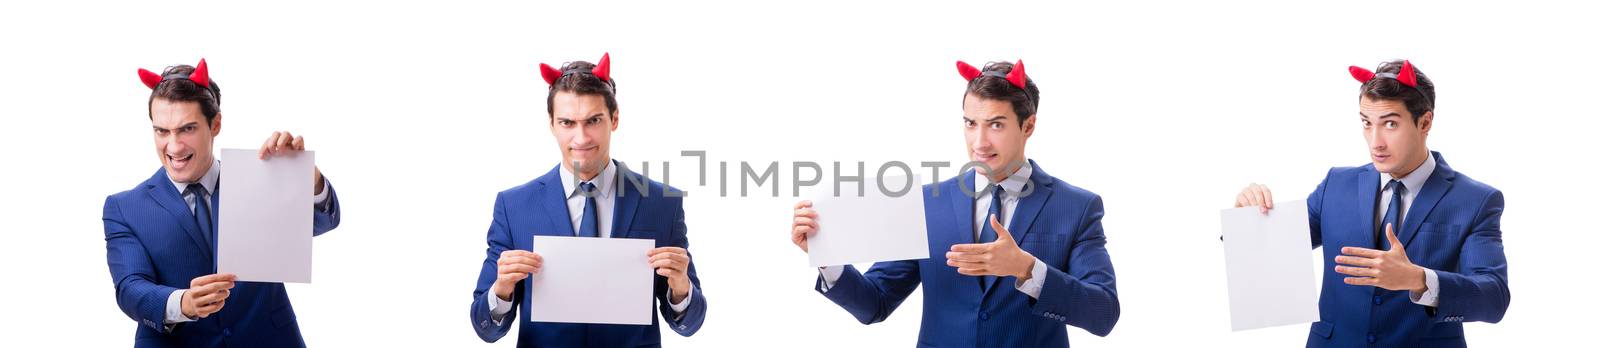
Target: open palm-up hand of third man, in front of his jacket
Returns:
[[1001, 258]]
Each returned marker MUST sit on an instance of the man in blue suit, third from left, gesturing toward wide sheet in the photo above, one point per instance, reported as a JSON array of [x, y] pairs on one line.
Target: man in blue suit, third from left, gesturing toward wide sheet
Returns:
[[993, 288]]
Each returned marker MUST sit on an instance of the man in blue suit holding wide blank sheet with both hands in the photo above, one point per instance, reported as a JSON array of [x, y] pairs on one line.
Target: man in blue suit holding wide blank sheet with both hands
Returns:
[[586, 196]]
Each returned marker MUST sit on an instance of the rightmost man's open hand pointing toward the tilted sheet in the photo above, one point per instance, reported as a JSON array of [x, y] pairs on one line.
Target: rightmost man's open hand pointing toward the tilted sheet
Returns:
[[1383, 269]]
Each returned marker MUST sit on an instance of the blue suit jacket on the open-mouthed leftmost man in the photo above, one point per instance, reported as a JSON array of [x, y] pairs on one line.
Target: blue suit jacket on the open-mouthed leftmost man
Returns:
[[154, 248]]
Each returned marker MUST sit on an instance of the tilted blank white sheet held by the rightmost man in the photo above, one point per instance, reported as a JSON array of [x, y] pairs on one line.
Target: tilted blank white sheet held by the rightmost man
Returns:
[[1271, 267]]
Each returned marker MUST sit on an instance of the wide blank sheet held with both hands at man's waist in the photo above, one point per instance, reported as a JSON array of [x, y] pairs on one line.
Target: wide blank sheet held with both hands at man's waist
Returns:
[[593, 280]]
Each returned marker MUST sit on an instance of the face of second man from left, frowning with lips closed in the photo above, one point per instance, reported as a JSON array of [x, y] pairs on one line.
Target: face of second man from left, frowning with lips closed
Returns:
[[583, 127]]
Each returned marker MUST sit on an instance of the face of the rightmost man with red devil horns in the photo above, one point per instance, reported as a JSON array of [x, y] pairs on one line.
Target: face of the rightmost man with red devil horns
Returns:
[[1396, 143]]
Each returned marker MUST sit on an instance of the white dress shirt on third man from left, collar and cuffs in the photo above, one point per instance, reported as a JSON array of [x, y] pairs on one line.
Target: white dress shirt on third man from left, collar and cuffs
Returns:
[[1009, 200]]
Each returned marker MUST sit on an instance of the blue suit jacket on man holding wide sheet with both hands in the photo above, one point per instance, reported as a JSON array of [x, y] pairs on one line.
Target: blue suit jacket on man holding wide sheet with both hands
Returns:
[[540, 208]]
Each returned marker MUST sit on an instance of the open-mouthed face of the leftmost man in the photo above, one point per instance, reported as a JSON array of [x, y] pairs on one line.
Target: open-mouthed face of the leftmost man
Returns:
[[183, 138]]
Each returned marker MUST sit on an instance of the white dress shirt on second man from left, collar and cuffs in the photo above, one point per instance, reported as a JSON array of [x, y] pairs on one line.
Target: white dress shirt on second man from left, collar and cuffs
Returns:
[[606, 205]]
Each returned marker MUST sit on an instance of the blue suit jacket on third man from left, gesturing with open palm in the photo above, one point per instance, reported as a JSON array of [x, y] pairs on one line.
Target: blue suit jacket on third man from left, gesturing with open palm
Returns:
[[1058, 223]]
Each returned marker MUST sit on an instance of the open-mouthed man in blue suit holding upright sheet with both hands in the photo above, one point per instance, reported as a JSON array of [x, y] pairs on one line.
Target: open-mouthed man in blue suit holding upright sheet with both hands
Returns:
[[161, 237]]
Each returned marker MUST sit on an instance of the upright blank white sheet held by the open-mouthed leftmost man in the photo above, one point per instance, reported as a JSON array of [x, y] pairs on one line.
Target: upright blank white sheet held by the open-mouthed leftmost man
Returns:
[[265, 216]]
